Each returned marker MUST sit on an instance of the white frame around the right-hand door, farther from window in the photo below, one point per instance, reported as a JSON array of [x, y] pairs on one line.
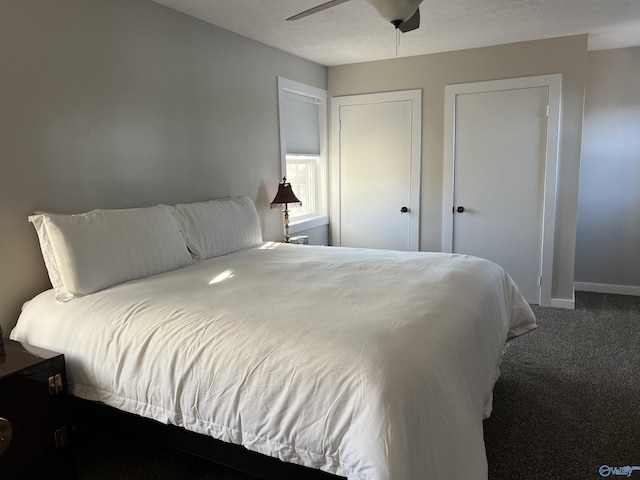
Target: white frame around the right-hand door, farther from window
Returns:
[[553, 82]]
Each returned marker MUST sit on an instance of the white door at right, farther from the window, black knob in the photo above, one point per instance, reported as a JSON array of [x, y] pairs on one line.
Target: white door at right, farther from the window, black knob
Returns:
[[498, 182]]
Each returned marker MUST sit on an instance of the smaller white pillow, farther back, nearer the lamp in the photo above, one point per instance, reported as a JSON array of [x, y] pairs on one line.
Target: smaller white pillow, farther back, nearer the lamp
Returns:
[[221, 226]]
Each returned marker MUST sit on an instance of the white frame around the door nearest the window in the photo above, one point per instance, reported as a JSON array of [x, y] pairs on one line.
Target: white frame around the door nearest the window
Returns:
[[413, 96]]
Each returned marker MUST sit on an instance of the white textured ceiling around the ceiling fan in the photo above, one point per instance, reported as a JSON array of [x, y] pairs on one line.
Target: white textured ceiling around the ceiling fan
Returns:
[[353, 31]]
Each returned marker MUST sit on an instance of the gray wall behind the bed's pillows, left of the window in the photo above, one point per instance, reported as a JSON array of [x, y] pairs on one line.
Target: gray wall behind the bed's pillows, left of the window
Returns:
[[123, 103]]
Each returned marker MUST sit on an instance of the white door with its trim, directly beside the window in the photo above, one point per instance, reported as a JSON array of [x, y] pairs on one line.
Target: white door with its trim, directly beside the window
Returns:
[[378, 151]]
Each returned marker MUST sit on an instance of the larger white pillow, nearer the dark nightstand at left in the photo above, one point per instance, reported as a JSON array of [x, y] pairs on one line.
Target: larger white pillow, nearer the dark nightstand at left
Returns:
[[87, 252]]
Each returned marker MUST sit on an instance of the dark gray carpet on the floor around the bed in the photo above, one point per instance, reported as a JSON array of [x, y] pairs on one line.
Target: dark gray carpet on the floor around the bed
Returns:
[[567, 402]]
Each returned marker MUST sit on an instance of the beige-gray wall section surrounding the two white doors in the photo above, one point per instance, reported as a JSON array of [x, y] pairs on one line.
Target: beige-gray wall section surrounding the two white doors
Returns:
[[432, 73]]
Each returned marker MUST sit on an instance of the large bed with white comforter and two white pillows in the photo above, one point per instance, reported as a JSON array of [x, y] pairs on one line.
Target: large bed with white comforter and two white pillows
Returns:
[[366, 364]]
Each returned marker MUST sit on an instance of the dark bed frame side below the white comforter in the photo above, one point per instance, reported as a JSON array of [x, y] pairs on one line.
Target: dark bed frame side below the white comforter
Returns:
[[92, 415]]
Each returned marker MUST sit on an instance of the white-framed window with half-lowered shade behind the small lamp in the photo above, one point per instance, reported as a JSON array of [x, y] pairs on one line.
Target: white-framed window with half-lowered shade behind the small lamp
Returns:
[[303, 119]]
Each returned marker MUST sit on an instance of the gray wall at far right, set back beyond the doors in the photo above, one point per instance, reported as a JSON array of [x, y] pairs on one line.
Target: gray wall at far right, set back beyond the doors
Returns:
[[608, 240]]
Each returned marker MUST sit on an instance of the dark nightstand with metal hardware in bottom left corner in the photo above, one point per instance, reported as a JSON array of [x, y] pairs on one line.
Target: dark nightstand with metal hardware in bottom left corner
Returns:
[[34, 414]]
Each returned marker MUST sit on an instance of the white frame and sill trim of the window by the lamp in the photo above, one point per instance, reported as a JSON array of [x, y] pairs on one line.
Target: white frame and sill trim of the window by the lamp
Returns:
[[321, 214]]
